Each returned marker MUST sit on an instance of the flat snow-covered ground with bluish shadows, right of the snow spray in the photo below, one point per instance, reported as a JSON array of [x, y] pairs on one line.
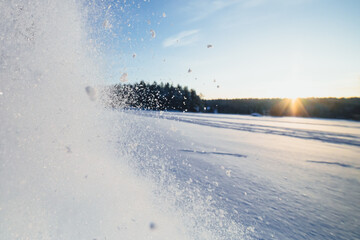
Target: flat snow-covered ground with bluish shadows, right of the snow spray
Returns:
[[278, 178]]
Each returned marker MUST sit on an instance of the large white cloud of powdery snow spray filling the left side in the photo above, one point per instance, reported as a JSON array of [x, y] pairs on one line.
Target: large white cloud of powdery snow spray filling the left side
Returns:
[[62, 174]]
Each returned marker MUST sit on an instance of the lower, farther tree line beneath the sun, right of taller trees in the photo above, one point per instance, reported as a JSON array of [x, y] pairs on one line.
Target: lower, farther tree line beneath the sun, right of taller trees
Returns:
[[341, 108]]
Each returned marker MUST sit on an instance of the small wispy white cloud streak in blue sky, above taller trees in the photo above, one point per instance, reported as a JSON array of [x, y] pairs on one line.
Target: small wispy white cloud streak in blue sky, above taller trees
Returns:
[[182, 39]]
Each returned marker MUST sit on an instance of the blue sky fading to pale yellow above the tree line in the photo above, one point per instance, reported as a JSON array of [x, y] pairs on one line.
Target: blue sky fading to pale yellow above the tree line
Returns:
[[259, 48]]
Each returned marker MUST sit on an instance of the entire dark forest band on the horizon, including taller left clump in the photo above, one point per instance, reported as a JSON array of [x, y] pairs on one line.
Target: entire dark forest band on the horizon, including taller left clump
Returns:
[[177, 98]]
